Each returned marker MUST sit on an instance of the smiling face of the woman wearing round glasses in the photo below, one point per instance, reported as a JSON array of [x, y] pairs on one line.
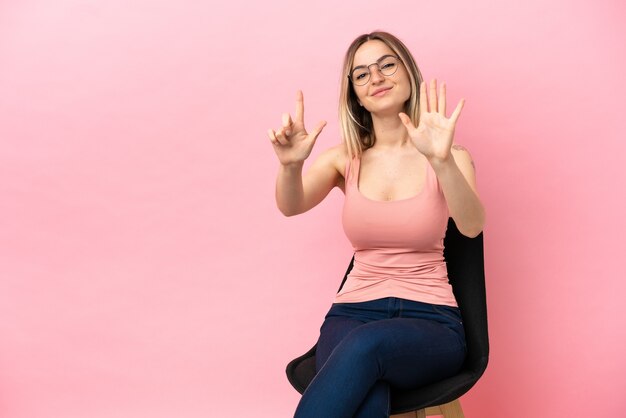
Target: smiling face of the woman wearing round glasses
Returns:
[[381, 94]]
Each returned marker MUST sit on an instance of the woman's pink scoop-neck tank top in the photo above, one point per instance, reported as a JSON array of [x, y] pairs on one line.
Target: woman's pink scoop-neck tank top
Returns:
[[398, 244]]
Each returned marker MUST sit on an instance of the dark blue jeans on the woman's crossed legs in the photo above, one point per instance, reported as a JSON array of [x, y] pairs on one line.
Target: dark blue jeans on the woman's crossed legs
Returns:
[[366, 347]]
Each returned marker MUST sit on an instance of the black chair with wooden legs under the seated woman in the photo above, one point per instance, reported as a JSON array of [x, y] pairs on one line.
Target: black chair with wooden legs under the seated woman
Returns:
[[465, 262]]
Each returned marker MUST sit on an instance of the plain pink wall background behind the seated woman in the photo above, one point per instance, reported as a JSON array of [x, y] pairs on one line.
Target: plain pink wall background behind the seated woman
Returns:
[[145, 270]]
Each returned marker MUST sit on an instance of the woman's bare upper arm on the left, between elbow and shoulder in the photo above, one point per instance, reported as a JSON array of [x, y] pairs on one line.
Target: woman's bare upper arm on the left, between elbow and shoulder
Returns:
[[323, 175]]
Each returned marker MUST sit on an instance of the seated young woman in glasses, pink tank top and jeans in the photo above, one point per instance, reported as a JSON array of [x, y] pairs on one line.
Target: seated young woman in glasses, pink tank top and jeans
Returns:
[[395, 321]]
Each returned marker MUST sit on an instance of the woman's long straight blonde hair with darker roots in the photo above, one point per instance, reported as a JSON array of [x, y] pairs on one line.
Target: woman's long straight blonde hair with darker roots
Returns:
[[356, 122]]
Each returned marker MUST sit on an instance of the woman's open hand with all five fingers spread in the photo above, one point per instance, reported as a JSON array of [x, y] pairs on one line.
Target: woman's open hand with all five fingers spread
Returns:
[[434, 134]]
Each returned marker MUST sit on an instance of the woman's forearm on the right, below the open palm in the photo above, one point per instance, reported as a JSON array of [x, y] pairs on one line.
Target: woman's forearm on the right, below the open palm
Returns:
[[464, 204]]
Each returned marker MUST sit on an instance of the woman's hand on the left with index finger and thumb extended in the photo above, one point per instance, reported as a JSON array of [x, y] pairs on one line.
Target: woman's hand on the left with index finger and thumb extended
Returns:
[[291, 142]]
